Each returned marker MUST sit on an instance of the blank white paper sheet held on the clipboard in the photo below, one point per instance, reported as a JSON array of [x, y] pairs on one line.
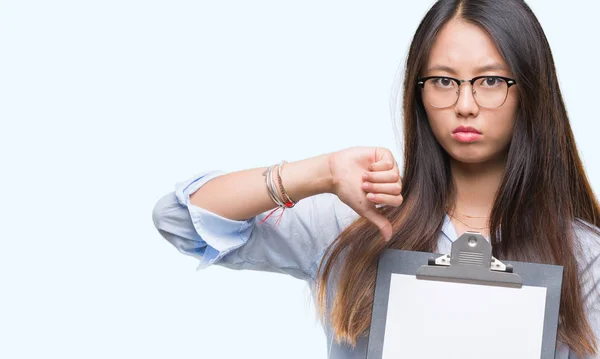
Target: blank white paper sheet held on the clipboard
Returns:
[[434, 319]]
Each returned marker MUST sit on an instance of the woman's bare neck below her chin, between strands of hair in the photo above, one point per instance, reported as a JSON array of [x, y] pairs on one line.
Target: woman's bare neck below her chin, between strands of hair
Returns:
[[476, 186]]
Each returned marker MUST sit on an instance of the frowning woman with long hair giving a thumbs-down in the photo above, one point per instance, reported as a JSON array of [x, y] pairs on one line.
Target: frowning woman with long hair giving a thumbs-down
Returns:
[[487, 147]]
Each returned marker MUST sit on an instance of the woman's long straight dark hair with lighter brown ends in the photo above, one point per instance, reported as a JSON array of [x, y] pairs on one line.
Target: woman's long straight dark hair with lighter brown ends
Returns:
[[543, 189]]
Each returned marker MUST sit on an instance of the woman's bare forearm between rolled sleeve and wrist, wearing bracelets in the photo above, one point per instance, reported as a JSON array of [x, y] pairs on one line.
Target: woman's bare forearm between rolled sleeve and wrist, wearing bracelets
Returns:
[[243, 194]]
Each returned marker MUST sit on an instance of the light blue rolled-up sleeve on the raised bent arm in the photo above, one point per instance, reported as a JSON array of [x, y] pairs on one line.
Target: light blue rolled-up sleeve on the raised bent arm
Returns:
[[292, 246]]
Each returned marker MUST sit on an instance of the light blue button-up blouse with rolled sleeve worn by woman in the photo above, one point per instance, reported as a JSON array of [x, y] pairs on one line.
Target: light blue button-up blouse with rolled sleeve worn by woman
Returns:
[[296, 246]]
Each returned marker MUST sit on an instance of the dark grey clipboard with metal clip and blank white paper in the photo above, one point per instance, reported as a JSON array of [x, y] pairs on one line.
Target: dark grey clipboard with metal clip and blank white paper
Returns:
[[428, 305]]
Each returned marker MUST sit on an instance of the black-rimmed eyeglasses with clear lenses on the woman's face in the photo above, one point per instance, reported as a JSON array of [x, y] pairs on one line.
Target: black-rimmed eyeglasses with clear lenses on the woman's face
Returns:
[[443, 91]]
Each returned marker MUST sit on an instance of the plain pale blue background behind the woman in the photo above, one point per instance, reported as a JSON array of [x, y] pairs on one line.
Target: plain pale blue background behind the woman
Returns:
[[105, 105]]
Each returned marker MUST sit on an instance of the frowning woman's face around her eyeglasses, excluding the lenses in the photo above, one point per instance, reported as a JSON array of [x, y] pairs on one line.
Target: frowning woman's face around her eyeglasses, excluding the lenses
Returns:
[[464, 51]]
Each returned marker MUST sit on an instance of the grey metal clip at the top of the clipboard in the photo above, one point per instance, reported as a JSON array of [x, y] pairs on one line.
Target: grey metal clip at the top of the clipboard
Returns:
[[470, 261]]
